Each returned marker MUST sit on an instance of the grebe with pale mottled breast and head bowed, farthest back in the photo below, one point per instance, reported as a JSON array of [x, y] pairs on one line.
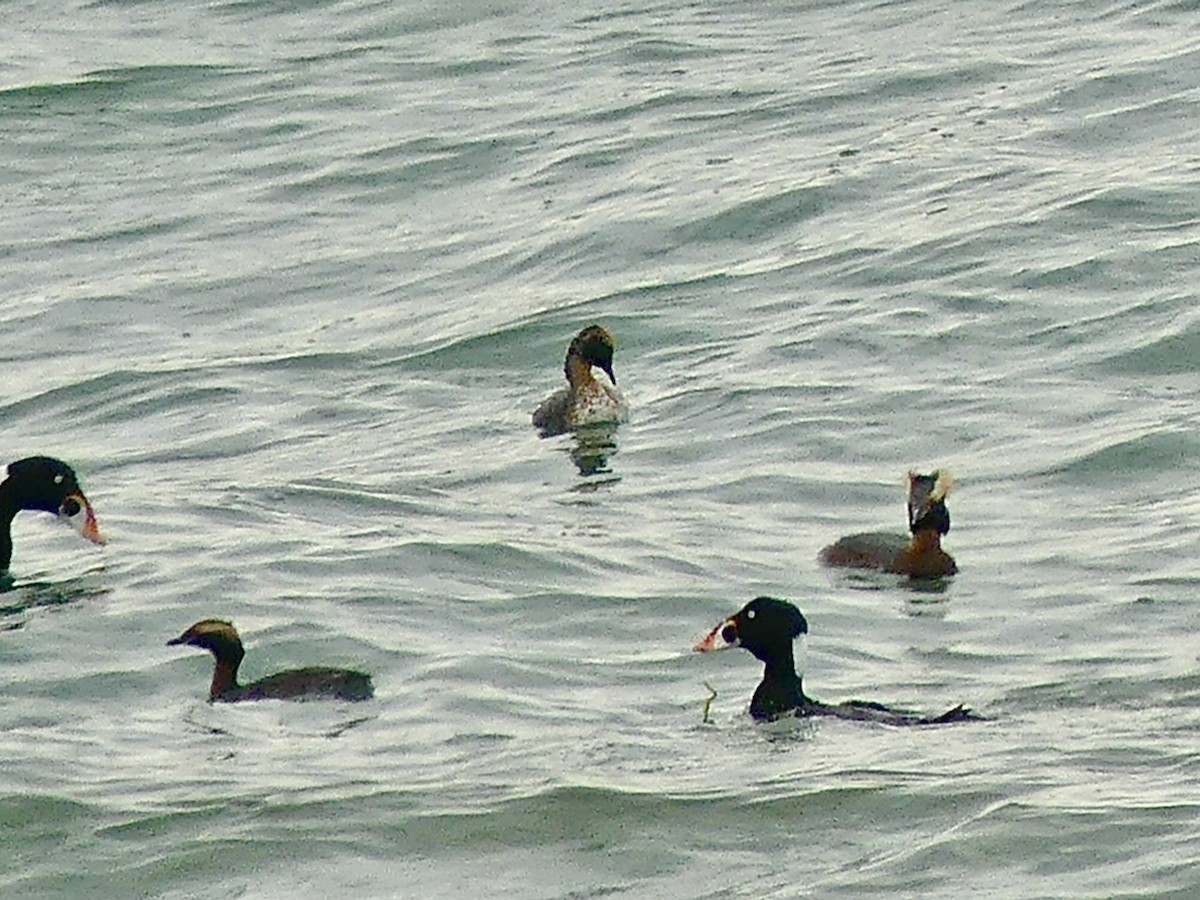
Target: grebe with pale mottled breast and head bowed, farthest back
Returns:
[[585, 400]]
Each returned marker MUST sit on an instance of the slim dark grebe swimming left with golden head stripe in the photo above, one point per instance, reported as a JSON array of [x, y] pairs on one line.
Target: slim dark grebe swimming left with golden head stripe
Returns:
[[221, 640]]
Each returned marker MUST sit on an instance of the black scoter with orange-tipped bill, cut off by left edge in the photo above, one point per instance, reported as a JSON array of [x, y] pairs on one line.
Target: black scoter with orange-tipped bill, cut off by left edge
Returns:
[[45, 484]]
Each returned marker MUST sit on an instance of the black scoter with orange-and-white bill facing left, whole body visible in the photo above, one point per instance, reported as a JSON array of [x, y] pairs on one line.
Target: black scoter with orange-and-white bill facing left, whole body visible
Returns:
[[769, 628]]
